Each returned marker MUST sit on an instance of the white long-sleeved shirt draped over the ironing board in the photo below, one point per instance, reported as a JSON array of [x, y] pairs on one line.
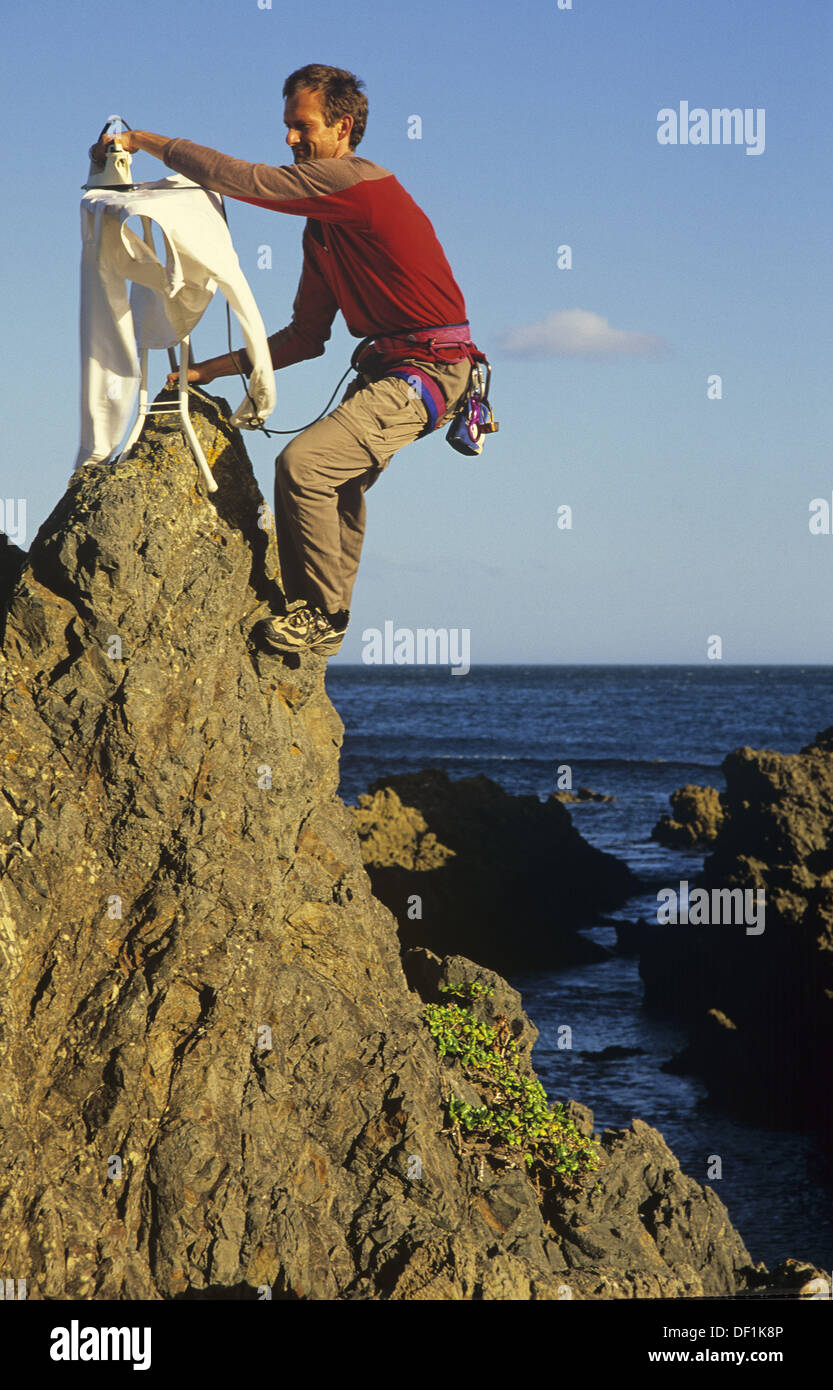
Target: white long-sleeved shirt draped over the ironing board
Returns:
[[166, 301]]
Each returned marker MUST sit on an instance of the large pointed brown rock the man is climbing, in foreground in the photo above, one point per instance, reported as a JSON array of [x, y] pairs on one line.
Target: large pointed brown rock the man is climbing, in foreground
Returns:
[[215, 1077]]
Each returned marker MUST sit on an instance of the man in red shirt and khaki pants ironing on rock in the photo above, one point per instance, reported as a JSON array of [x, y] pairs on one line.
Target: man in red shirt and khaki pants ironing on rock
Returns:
[[373, 254]]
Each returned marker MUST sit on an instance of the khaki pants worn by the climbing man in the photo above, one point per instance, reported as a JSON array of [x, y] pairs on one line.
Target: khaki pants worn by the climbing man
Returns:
[[323, 475]]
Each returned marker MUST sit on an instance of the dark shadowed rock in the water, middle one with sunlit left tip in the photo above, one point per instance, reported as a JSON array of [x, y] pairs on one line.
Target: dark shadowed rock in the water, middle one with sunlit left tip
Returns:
[[468, 869]]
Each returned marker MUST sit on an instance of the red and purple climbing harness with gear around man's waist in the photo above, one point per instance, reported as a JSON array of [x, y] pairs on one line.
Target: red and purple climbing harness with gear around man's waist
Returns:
[[475, 416]]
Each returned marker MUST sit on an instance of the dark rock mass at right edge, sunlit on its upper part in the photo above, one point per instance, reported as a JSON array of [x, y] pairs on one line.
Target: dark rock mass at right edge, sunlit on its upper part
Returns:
[[761, 1006]]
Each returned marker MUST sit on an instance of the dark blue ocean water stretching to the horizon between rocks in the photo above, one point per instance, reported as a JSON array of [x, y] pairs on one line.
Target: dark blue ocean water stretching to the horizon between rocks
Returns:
[[636, 733]]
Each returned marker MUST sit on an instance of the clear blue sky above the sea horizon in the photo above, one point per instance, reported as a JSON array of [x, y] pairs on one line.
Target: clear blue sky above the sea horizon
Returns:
[[690, 516]]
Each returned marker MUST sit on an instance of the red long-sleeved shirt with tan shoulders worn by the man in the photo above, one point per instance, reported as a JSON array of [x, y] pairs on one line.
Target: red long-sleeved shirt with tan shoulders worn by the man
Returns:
[[368, 248]]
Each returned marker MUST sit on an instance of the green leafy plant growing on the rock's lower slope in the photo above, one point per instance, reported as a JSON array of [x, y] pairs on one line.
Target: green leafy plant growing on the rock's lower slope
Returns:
[[517, 1117]]
